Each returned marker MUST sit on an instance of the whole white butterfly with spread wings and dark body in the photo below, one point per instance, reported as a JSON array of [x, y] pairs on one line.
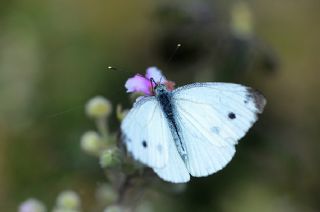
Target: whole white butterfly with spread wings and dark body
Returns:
[[191, 130]]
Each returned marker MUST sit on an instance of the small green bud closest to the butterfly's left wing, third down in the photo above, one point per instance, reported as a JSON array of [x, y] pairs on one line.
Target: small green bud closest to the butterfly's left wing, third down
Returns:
[[110, 158]]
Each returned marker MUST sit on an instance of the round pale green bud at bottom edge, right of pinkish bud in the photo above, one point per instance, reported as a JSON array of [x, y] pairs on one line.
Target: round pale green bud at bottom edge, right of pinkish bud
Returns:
[[68, 200]]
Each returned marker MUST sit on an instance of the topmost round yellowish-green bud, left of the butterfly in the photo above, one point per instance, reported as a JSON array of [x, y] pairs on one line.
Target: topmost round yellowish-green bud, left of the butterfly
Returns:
[[98, 107]]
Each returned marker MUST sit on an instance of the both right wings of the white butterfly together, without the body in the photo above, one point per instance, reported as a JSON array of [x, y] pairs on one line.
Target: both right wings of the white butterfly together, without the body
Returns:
[[213, 117]]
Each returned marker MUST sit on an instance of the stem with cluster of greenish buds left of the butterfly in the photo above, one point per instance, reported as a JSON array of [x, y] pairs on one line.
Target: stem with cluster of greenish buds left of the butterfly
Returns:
[[103, 144]]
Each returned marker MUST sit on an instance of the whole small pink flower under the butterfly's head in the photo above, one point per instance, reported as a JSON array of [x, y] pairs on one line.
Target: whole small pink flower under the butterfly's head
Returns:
[[143, 84]]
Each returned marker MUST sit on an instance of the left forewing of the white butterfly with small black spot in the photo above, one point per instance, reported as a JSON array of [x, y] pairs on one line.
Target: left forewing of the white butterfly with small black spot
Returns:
[[146, 133]]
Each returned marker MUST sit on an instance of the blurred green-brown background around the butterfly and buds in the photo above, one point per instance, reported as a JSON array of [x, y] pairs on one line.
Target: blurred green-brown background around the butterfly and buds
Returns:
[[54, 56]]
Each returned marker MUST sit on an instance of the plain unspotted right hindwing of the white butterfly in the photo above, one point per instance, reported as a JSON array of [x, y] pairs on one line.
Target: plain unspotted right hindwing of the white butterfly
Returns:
[[207, 151]]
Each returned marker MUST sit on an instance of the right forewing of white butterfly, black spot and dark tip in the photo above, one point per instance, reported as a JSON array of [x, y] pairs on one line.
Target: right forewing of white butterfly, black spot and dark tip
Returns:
[[223, 112]]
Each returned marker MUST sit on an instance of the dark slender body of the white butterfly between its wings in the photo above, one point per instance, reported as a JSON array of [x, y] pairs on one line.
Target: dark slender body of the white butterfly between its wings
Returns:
[[166, 102]]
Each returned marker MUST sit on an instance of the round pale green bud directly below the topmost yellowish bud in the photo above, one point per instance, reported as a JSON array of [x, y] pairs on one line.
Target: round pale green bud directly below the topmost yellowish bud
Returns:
[[91, 142]]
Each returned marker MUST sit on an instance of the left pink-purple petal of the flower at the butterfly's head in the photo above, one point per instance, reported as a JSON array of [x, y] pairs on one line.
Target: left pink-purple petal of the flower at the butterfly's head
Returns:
[[138, 84]]
